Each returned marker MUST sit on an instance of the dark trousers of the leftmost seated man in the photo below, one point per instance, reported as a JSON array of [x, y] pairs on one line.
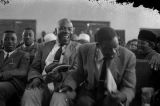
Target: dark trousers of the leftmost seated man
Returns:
[[7, 90]]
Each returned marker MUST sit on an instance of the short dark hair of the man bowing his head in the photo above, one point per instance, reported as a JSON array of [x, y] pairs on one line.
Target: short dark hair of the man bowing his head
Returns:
[[105, 34]]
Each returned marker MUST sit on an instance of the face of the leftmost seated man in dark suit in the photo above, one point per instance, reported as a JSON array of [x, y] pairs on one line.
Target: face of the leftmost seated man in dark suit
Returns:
[[9, 42]]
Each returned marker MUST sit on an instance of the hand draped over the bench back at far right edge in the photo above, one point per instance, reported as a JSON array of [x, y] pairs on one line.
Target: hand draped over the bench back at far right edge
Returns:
[[155, 62]]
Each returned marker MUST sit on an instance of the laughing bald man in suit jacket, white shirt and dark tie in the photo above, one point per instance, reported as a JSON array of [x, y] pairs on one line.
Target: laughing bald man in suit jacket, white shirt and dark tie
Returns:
[[47, 55]]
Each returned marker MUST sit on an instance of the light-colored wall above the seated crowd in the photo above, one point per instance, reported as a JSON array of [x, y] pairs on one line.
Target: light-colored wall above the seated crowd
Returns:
[[48, 12]]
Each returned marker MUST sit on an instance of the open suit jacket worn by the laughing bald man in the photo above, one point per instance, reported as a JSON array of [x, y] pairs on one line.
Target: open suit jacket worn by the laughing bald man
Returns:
[[39, 61]]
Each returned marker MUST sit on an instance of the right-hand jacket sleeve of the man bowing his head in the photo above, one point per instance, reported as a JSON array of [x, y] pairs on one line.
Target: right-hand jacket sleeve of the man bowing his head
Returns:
[[129, 79]]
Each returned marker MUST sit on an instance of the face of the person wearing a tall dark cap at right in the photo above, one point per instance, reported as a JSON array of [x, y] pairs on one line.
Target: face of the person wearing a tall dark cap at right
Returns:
[[143, 46]]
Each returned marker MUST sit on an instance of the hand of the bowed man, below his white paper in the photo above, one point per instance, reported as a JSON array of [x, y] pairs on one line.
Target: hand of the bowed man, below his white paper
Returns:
[[118, 97]]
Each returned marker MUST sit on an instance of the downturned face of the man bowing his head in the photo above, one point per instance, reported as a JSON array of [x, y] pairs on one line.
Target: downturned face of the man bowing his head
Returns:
[[109, 48]]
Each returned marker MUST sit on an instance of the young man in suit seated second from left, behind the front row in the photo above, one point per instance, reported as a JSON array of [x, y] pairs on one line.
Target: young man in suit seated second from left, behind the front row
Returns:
[[28, 44]]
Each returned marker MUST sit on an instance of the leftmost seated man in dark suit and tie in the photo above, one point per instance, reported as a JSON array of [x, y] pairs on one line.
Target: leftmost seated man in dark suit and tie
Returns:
[[13, 68]]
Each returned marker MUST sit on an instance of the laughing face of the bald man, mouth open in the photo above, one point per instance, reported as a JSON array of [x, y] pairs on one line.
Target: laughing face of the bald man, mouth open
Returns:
[[65, 31]]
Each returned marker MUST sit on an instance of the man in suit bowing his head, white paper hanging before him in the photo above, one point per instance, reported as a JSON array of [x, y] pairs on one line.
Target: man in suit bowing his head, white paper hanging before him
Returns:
[[105, 75]]
